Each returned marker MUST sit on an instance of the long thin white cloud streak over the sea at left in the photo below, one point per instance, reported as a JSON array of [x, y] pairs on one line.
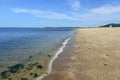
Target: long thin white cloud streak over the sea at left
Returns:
[[44, 14]]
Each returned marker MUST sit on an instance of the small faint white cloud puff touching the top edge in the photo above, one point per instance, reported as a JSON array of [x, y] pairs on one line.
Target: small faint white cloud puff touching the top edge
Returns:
[[75, 4]]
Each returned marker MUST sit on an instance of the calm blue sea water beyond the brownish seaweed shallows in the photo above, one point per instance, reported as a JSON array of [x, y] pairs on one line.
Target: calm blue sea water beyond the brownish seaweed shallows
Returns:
[[20, 44]]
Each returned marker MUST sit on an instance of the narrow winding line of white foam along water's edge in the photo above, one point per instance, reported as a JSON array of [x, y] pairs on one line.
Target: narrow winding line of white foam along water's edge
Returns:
[[53, 59]]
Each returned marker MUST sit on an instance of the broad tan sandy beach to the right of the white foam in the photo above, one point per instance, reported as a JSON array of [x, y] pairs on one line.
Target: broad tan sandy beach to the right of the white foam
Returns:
[[95, 56]]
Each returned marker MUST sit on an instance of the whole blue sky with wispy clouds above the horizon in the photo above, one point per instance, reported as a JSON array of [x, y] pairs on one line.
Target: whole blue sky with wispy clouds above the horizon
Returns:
[[58, 13]]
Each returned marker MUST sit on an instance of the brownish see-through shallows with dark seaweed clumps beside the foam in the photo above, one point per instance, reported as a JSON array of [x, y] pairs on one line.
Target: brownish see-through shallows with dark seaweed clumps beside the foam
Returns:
[[42, 60]]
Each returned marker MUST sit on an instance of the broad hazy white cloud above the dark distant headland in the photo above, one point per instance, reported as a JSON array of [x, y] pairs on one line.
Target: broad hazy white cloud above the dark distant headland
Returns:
[[104, 13]]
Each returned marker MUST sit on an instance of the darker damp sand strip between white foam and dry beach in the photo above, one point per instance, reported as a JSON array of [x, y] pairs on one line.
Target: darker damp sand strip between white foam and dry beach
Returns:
[[62, 59]]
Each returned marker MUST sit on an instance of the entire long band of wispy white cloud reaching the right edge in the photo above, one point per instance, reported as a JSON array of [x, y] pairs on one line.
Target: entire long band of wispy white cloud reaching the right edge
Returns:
[[96, 15]]
